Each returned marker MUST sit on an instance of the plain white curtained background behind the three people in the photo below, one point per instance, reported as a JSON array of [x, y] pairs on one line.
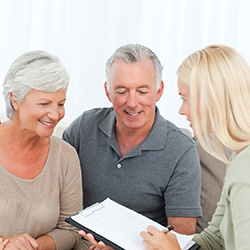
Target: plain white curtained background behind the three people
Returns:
[[84, 33]]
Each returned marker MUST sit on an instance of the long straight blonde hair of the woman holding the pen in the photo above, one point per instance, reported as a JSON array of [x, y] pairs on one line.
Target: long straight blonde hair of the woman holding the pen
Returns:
[[219, 81]]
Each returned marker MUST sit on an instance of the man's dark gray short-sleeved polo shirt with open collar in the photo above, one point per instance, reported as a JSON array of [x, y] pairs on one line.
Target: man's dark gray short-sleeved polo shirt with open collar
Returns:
[[160, 177]]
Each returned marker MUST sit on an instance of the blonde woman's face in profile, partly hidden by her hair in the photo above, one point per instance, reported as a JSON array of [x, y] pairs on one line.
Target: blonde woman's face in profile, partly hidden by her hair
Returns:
[[184, 92]]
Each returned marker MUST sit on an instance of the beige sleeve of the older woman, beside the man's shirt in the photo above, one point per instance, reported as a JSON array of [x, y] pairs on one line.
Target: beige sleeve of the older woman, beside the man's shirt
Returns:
[[65, 235]]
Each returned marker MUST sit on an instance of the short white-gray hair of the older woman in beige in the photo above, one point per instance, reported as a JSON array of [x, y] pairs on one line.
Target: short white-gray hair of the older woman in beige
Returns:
[[36, 70]]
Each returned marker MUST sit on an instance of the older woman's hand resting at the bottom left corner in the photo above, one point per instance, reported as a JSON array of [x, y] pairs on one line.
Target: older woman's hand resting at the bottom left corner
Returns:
[[22, 242]]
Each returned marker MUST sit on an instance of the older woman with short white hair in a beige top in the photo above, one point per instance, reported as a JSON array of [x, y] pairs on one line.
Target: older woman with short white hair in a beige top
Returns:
[[40, 178]]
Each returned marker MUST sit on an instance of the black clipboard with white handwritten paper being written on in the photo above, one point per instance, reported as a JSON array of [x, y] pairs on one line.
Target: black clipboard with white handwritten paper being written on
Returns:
[[119, 226]]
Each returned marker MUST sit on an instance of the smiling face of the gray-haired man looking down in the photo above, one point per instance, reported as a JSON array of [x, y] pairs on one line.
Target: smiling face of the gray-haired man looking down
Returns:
[[133, 94]]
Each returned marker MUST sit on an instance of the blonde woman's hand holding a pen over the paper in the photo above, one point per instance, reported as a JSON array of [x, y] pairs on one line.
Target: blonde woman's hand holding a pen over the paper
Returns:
[[154, 239]]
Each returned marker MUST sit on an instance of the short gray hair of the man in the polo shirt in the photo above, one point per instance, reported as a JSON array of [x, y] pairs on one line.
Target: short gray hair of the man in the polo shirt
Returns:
[[132, 53]]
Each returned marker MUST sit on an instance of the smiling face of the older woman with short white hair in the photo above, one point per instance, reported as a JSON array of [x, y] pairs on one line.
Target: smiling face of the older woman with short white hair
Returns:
[[40, 111]]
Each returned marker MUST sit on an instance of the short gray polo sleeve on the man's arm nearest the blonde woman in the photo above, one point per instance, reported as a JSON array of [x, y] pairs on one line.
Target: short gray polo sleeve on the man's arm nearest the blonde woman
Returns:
[[182, 195]]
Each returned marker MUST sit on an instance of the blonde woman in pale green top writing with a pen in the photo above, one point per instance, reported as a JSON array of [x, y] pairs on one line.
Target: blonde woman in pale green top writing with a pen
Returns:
[[214, 84]]
